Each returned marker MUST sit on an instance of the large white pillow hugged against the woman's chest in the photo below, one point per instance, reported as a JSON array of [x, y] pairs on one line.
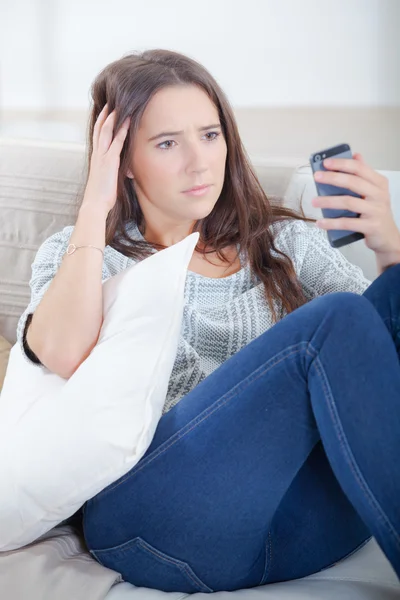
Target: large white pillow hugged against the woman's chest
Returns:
[[63, 441]]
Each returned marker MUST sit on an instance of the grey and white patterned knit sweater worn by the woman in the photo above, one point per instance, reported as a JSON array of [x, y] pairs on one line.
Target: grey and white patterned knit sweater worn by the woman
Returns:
[[223, 315]]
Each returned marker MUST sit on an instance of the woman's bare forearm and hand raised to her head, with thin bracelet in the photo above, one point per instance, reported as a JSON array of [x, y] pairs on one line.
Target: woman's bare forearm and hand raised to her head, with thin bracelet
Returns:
[[66, 324]]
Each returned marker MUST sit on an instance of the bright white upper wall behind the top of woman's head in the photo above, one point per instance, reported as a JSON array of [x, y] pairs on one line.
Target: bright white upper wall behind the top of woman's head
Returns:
[[262, 52]]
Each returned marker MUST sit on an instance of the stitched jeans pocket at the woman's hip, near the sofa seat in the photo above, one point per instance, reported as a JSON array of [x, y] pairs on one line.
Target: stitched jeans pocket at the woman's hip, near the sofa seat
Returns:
[[143, 565]]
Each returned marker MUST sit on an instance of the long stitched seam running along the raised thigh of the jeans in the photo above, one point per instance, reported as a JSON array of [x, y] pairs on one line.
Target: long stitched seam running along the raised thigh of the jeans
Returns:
[[238, 388]]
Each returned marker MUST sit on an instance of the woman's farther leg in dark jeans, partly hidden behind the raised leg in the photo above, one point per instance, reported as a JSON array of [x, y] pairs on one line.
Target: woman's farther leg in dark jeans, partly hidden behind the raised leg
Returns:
[[299, 527]]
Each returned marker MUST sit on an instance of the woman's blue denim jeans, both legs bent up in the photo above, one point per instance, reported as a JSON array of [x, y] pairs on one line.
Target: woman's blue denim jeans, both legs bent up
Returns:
[[279, 464]]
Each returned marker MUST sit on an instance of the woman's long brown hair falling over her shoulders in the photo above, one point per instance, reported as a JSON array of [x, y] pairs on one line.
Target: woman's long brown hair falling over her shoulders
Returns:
[[242, 215]]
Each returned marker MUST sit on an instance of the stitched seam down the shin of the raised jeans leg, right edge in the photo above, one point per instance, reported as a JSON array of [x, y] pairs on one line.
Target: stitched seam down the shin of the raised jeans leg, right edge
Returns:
[[343, 442]]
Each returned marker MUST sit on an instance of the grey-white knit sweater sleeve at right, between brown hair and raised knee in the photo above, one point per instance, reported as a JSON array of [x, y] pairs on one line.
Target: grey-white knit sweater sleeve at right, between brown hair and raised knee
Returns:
[[320, 268]]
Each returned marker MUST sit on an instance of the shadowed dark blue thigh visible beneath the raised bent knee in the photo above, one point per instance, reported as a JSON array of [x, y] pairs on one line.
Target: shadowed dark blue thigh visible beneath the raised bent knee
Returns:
[[314, 526]]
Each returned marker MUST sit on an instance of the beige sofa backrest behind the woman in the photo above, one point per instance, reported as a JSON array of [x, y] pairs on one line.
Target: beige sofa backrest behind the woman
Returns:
[[41, 183]]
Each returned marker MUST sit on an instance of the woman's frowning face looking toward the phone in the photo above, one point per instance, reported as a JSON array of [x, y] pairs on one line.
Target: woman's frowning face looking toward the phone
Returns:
[[193, 154]]
